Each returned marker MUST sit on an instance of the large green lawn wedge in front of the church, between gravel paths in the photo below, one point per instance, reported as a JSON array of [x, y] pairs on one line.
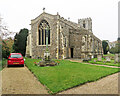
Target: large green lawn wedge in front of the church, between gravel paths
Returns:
[[67, 74]]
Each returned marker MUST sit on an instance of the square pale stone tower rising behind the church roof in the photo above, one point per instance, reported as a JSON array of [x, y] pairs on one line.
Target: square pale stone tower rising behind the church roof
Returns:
[[86, 23]]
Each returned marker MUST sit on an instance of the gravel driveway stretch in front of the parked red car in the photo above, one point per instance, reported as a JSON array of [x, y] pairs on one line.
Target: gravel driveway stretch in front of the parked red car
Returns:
[[19, 80]]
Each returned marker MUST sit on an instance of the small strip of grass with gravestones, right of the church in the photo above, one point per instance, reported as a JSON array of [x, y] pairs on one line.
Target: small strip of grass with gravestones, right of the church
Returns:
[[103, 62]]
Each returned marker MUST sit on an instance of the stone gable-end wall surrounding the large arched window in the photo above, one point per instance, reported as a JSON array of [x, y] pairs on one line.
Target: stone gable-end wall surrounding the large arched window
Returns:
[[38, 50]]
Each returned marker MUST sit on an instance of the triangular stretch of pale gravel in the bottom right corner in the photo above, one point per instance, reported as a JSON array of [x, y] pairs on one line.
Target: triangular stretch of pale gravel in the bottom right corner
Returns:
[[107, 85]]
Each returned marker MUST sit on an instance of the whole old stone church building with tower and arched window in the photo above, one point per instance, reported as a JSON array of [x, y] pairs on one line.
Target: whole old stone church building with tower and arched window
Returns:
[[66, 39]]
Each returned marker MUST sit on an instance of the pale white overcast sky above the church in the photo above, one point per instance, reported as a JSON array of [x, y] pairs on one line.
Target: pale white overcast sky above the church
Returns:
[[17, 14]]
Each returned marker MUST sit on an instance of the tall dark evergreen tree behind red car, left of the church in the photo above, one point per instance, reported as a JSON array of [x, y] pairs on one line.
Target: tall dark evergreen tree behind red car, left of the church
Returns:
[[20, 39]]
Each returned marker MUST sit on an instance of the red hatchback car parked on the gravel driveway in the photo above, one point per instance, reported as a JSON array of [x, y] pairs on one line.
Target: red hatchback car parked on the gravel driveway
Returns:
[[15, 59]]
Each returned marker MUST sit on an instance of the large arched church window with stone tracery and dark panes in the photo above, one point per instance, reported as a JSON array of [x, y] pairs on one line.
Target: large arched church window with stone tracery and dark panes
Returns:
[[42, 32]]
